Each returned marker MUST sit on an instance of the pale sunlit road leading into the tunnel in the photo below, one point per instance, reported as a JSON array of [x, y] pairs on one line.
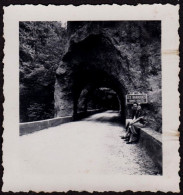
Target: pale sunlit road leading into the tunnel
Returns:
[[92, 145]]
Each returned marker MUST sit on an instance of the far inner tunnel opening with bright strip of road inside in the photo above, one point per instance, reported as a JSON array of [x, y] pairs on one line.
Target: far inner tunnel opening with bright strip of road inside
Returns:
[[102, 105]]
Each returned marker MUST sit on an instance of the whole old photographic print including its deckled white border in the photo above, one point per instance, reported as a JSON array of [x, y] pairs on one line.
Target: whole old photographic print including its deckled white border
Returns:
[[94, 99]]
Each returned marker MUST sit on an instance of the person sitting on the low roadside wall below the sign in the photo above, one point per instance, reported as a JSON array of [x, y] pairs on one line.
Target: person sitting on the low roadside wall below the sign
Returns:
[[132, 133]]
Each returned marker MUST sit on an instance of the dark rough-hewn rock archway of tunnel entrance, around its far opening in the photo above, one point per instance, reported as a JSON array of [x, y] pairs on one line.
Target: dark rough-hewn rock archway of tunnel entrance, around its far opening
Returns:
[[89, 65]]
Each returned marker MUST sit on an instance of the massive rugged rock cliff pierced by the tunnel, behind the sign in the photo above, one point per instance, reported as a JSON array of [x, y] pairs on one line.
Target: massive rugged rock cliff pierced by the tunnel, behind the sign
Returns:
[[123, 56]]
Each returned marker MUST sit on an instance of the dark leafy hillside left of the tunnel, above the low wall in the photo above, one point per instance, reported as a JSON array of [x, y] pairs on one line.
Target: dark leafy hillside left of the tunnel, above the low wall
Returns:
[[42, 45]]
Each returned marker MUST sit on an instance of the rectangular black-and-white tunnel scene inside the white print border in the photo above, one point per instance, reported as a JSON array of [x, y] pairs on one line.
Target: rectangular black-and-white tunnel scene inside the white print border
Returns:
[[97, 85]]
